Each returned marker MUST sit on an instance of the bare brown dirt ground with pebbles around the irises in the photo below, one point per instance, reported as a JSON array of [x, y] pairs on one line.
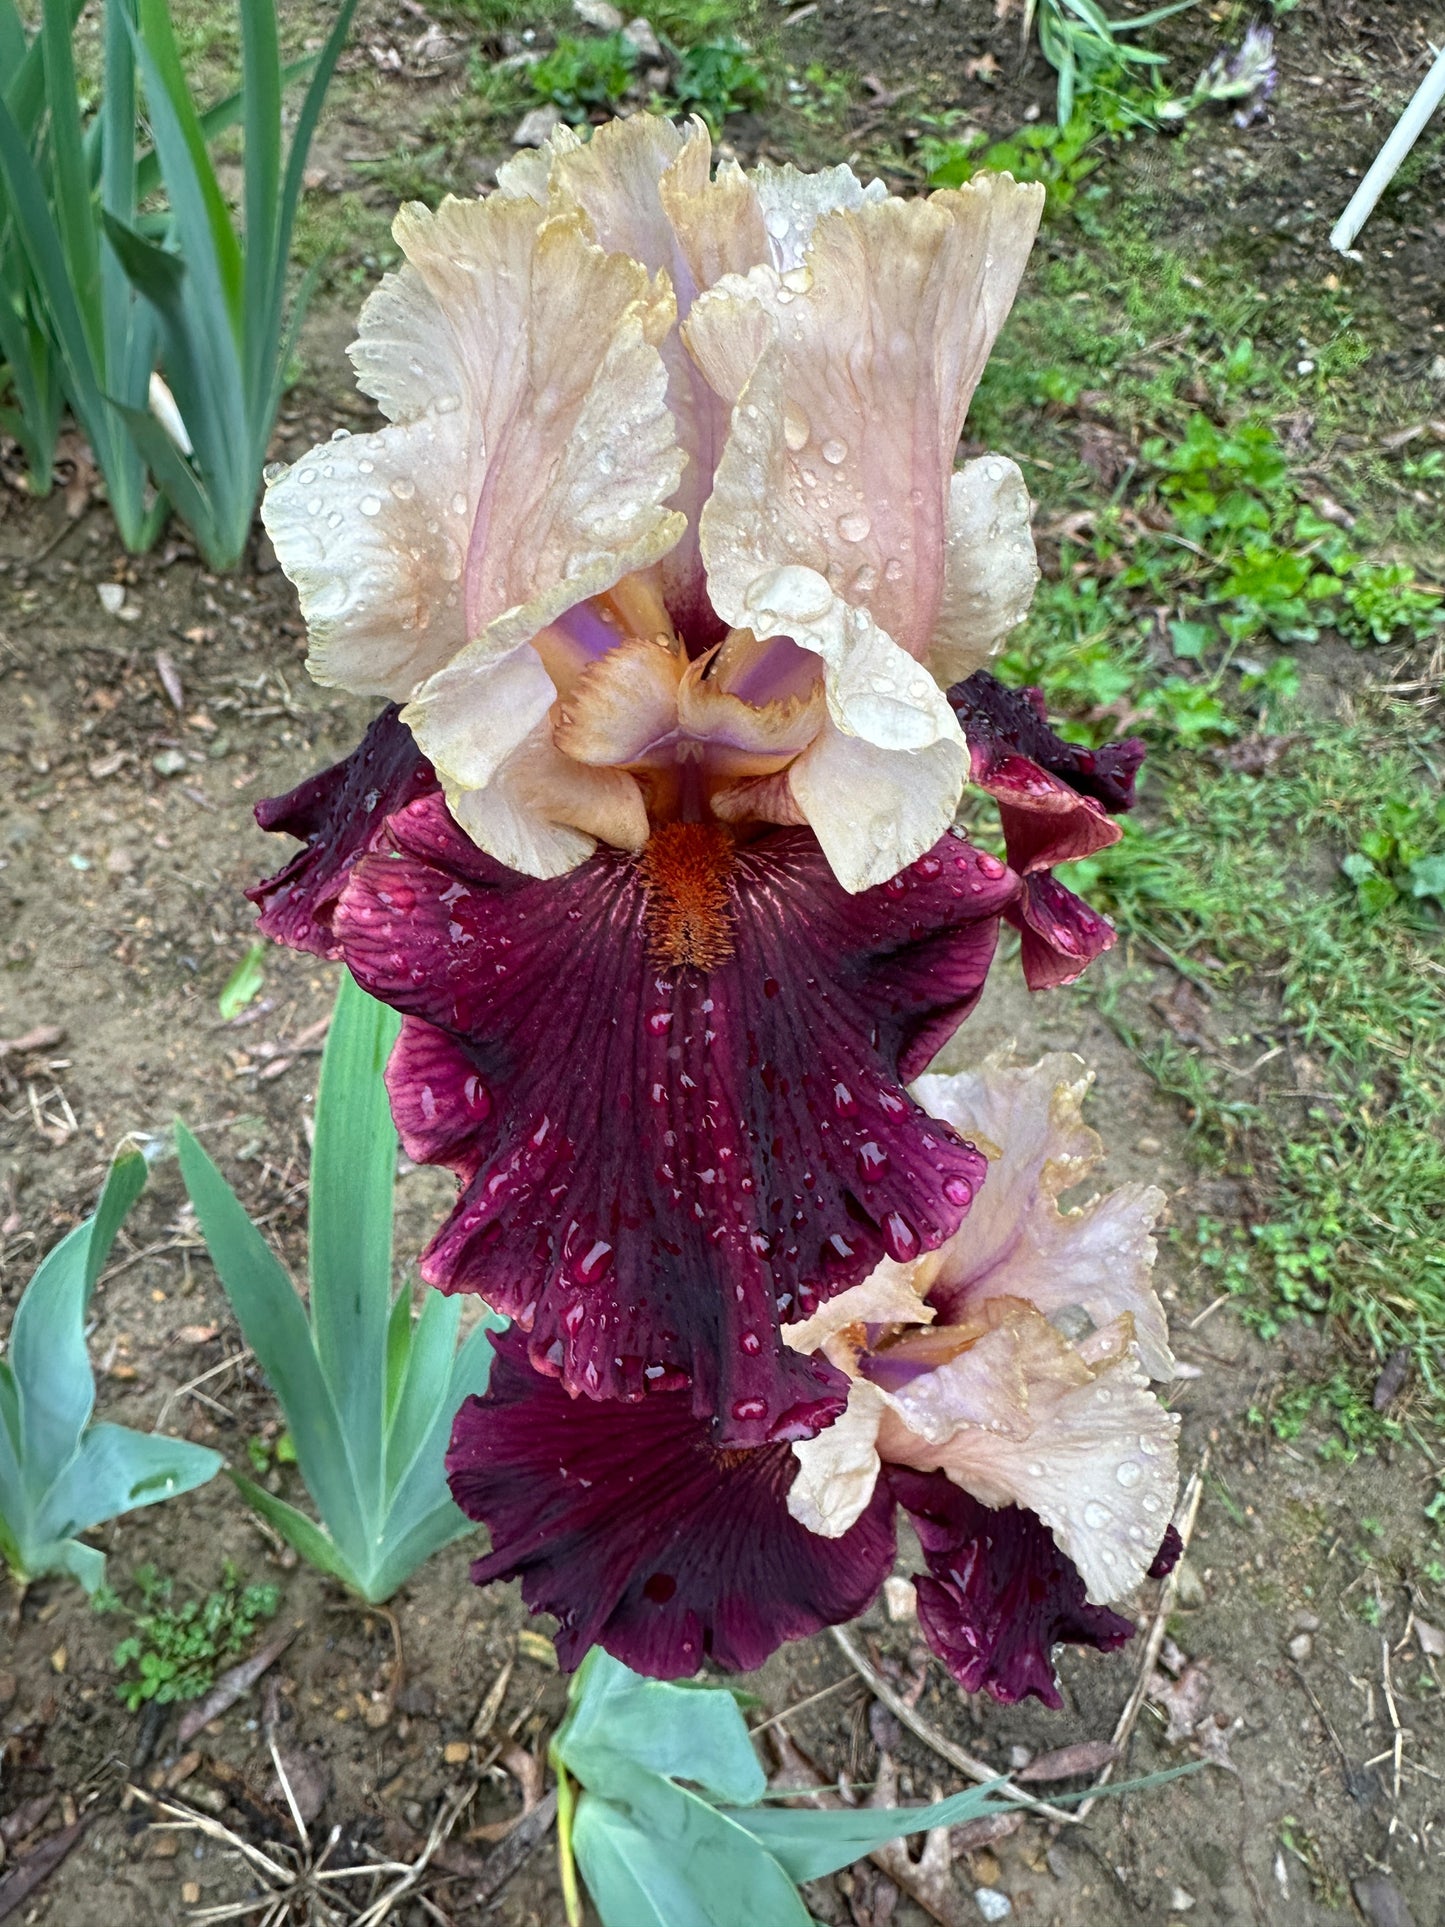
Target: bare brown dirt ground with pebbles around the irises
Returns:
[[1296, 1662]]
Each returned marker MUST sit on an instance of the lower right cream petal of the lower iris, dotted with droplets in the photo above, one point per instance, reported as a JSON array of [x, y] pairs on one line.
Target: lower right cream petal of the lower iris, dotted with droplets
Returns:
[[1024, 1419]]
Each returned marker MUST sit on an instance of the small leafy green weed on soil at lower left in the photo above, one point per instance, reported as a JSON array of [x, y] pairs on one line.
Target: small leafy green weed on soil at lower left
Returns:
[[174, 1652]]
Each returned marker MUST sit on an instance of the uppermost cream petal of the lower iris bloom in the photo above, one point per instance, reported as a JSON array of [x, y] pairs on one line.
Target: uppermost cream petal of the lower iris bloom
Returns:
[[1016, 1242]]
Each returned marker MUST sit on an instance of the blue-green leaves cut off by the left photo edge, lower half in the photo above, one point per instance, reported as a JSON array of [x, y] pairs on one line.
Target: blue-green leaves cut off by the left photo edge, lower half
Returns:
[[61, 1475]]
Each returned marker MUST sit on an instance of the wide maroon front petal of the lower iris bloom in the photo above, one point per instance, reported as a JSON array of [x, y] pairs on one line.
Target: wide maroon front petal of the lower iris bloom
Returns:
[[643, 1537]]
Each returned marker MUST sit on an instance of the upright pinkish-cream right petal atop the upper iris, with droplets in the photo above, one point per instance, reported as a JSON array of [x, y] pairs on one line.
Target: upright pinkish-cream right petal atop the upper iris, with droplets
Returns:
[[843, 436]]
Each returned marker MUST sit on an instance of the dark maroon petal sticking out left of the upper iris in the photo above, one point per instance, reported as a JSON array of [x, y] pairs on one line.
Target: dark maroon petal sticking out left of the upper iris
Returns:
[[340, 816]]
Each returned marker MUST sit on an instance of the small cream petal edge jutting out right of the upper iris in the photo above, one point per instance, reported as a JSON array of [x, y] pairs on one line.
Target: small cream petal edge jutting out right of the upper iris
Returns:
[[991, 569]]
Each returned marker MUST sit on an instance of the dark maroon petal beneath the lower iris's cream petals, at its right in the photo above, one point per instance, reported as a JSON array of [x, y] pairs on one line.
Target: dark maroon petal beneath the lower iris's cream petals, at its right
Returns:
[[999, 1595]]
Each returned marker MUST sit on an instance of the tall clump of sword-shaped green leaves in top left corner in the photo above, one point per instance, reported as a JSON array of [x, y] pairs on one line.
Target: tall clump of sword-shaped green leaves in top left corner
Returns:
[[99, 296]]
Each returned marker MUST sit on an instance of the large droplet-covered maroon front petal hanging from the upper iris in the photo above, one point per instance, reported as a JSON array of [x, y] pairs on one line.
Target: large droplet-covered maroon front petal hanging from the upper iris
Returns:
[[660, 1163]]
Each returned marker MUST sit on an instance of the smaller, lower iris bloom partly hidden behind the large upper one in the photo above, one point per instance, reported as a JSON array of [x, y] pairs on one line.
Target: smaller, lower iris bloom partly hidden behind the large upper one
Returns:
[[999, 1392]]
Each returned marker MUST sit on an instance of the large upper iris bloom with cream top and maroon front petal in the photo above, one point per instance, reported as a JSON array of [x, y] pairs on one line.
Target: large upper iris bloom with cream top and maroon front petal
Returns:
[[664, 569]]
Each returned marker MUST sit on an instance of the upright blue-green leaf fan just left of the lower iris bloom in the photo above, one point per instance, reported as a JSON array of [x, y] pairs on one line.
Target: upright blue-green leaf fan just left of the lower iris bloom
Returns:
[[369, 1392]]
